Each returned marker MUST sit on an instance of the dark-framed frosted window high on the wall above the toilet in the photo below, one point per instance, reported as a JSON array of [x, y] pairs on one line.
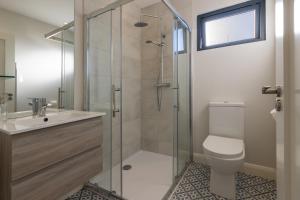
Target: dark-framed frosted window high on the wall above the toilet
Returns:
[[242, 23]]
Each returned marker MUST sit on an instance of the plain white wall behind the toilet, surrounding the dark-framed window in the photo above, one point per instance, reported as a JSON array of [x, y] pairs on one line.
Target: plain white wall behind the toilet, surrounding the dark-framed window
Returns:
[[234, 73]]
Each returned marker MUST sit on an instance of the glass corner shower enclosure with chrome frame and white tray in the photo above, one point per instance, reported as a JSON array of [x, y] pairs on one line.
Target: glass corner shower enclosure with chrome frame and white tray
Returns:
[[138, 63]]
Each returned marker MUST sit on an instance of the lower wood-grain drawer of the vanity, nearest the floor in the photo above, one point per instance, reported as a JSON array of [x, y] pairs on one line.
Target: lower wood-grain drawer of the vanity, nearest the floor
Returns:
[[54, 182]]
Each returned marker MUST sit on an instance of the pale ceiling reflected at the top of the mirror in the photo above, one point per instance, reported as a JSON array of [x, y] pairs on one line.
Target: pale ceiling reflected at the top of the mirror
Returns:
[[55, 12]]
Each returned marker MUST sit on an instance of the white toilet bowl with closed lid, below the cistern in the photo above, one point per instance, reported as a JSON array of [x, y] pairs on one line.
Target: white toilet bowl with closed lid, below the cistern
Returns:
[[225, 156]]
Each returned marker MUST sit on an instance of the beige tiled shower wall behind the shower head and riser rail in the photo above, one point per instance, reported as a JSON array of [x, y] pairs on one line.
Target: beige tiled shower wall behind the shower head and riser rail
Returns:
[[157, 126]]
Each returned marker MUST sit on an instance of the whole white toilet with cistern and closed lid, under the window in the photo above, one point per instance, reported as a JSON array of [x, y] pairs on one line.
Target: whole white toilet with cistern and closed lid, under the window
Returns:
[[224, 147]]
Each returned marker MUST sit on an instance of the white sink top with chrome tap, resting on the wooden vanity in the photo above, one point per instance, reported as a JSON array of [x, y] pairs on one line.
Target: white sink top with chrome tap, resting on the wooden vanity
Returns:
[[19, 125]]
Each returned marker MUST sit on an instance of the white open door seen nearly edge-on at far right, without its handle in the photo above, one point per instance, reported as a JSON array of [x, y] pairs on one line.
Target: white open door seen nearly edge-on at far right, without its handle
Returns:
[[285, 120]]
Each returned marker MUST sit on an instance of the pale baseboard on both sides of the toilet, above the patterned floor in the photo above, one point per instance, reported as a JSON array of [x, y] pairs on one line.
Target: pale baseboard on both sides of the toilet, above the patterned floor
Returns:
[[248, 168]]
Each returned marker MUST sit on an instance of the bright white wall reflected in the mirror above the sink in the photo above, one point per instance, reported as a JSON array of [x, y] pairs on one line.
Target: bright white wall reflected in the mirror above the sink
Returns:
[[38, 60]]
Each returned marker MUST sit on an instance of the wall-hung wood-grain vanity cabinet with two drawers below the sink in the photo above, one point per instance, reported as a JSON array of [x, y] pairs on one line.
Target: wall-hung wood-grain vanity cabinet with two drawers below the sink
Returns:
[[46, 164]]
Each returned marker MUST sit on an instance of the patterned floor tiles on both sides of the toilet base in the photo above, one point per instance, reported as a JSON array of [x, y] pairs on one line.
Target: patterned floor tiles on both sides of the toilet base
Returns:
[[194, 185]]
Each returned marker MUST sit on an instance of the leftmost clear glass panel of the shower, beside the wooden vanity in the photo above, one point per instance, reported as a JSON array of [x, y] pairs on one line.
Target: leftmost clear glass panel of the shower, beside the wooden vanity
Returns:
[[100, 86]]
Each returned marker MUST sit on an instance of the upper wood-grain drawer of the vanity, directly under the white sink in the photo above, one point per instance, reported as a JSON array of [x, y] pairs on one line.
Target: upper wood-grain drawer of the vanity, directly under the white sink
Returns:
[[39, 149]]
